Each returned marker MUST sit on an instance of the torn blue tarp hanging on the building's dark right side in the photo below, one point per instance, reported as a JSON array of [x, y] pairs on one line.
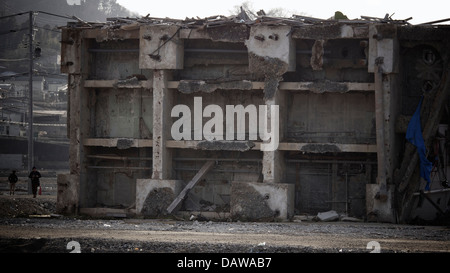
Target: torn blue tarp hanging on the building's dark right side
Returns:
[[414, 135]]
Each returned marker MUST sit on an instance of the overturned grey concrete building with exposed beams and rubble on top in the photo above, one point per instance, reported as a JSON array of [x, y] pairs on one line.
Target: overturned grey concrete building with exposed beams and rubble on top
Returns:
[[147, 137]]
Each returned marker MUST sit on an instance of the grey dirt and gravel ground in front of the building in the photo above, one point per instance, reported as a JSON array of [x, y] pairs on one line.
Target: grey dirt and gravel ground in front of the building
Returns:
[[29, 225]]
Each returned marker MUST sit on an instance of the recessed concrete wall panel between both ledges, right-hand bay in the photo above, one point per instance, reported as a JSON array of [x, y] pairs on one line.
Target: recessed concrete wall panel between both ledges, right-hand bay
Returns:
[[329, 118]]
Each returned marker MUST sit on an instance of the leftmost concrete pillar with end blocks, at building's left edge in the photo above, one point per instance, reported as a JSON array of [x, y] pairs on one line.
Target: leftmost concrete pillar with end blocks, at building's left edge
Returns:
[[78, 123]]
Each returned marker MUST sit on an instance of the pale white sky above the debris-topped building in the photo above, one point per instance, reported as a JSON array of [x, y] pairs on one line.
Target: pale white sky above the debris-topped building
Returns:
[[421, 10]]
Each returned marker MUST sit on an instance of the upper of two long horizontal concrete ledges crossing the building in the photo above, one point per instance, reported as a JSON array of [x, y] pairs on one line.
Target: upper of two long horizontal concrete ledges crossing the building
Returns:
[[300, 86]]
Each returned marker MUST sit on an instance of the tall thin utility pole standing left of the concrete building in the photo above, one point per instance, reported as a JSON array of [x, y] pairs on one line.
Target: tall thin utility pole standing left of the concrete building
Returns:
[[30, 110]]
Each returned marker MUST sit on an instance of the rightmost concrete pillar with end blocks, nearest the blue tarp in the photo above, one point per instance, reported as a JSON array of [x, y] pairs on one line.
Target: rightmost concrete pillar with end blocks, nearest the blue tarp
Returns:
[[383, 62]]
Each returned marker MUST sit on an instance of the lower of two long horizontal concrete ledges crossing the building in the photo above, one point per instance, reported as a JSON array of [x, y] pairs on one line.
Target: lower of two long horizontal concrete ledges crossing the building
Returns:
[[194, 144]]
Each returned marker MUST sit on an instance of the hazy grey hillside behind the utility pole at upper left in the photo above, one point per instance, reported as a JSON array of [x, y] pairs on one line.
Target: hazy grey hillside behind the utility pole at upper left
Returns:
[[48, 16]]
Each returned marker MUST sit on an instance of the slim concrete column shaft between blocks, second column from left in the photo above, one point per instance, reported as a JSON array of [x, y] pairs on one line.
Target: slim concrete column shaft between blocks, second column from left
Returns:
[[162, 102]]
